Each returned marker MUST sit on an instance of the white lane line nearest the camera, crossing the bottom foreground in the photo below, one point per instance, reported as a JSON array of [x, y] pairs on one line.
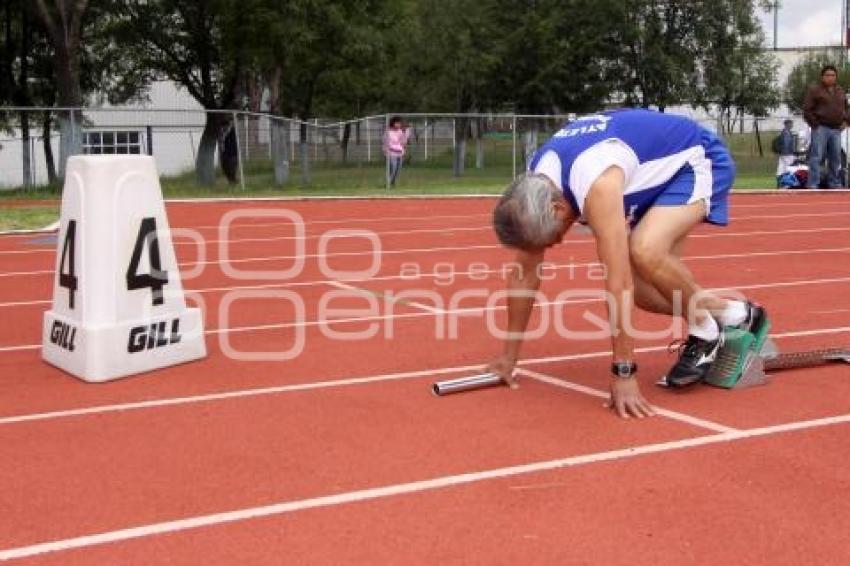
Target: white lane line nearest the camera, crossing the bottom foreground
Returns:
[[394, 490]]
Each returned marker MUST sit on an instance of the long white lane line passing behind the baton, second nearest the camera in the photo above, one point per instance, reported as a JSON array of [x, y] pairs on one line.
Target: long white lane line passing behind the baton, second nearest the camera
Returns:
[[309, 386]]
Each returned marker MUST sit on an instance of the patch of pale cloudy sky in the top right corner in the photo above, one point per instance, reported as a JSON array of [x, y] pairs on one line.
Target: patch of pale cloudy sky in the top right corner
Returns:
[[805, 23]]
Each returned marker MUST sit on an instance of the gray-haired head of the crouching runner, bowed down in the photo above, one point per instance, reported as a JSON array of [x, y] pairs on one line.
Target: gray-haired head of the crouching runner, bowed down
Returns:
[[524, 217]]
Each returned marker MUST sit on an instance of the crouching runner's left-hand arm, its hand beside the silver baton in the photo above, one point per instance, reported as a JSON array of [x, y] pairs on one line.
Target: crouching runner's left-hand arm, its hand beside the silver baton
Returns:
[[522, 285]]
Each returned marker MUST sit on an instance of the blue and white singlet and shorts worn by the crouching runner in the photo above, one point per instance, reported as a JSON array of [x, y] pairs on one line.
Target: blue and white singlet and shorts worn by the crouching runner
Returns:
[[667, 161]]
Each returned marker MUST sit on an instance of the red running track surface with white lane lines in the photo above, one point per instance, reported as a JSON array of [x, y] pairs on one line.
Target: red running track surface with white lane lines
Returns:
[[342, 455]]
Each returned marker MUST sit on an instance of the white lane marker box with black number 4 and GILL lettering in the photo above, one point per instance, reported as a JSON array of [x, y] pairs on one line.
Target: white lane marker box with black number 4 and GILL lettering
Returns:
[[118, 301]]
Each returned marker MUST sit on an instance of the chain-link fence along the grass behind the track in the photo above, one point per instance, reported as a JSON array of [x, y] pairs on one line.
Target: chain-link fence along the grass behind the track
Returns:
[[258, 151]]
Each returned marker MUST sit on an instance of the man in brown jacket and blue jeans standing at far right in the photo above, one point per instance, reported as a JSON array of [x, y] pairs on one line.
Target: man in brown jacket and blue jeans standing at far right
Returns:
[[825, 110]]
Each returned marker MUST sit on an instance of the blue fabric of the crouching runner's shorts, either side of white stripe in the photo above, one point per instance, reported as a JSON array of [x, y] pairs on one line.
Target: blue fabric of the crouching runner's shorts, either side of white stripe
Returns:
[[679, 190]]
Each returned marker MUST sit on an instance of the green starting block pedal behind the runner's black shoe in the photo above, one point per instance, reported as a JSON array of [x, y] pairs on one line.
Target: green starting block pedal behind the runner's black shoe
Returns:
[[740, 363]]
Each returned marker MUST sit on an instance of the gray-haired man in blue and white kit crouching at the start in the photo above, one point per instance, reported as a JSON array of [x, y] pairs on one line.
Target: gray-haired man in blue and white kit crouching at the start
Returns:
[[668, 175]]
